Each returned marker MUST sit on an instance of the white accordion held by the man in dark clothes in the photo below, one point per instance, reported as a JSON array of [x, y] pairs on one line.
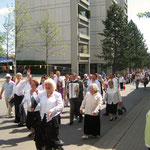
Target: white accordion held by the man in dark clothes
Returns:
[[73, 90]]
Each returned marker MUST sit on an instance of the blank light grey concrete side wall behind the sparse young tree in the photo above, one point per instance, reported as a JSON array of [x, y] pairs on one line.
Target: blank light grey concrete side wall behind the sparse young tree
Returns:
[[60, 12]]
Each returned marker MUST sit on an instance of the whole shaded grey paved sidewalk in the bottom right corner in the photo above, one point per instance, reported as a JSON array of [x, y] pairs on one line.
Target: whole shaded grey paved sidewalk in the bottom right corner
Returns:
[[128, 134]]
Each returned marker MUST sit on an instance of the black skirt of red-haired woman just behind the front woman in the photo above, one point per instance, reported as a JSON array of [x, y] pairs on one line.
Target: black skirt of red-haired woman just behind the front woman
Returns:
[[33, 119]]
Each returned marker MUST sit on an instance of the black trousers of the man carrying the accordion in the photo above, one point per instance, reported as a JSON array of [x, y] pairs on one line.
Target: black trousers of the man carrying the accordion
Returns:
[[75, 109]]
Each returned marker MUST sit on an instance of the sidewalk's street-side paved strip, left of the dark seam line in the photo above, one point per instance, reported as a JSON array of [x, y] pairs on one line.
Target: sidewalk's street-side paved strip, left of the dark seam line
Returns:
[[110, 140]]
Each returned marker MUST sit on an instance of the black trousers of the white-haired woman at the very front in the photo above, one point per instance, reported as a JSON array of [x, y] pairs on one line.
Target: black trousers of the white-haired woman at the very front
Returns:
[[46, 135]]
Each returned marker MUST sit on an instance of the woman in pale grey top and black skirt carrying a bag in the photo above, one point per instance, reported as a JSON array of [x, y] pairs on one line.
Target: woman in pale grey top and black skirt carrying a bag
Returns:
[[112, 97]]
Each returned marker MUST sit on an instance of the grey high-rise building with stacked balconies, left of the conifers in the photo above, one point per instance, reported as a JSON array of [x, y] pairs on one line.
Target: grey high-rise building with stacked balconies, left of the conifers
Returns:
[[80, 22]]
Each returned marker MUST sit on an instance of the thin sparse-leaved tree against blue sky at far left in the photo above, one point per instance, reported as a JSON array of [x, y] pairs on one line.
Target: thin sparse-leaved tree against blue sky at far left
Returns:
[[9, 34]]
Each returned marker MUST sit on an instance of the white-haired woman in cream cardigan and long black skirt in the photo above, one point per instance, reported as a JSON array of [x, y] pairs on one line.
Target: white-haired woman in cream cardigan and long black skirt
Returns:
[[92, 104]]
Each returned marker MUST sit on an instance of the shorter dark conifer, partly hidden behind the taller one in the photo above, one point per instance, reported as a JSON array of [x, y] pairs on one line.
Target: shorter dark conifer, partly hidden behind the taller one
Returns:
[[137, 52]]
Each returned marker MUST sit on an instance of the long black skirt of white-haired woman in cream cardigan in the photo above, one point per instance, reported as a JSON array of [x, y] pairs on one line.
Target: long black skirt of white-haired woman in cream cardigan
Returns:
[[92, 125]]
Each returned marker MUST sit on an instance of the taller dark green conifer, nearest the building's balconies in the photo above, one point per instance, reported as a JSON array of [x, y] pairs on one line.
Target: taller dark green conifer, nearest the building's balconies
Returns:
[[114, 44]]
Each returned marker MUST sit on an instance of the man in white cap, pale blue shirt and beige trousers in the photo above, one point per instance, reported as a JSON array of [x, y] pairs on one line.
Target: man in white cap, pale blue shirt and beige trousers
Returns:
[[8, 88]]
